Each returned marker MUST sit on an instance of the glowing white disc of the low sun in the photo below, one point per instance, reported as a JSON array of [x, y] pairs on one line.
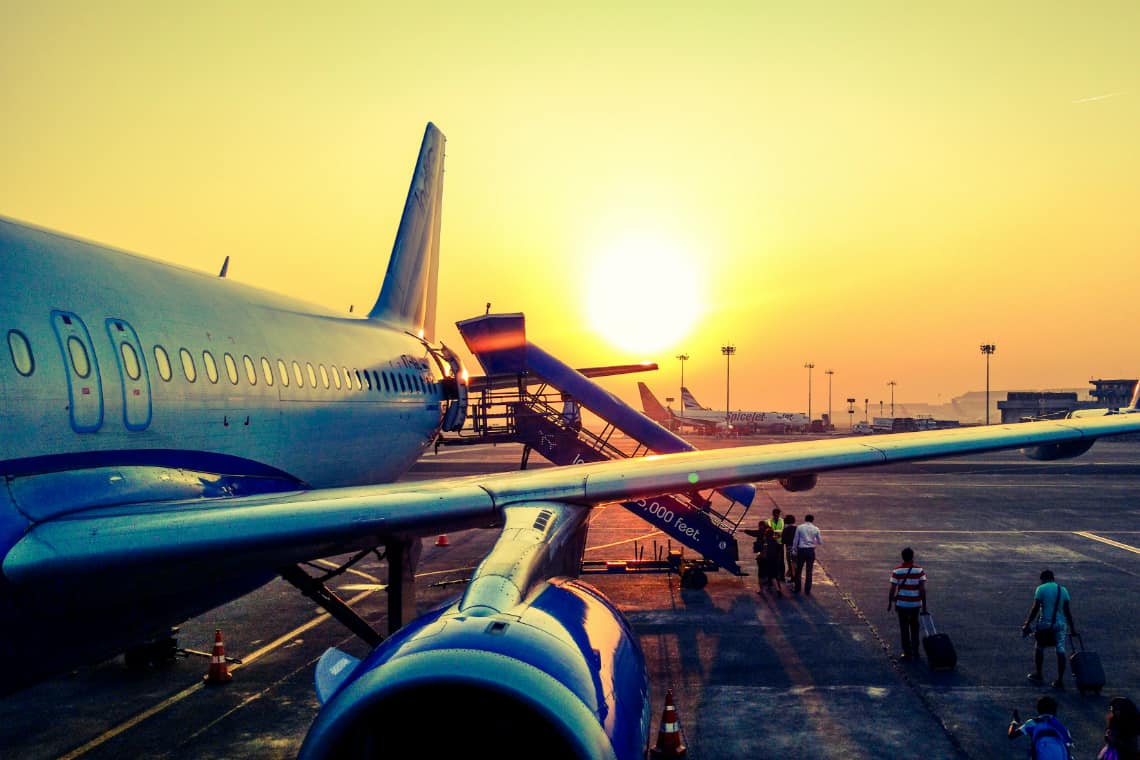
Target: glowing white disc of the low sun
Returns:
[[645, 293]]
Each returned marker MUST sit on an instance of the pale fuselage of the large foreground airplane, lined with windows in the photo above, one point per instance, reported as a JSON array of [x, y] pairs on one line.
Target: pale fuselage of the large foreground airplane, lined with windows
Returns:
[[126, 380]]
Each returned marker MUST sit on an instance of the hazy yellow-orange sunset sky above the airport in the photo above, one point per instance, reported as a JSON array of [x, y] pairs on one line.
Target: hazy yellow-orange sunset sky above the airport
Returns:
[[876, 189]]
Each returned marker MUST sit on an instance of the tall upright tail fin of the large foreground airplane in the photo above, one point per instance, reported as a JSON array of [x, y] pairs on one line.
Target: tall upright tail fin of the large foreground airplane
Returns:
[[408, 298]]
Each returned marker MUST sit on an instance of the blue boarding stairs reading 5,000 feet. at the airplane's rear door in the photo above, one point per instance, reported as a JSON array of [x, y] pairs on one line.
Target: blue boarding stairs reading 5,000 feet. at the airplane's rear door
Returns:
[[531, 397]]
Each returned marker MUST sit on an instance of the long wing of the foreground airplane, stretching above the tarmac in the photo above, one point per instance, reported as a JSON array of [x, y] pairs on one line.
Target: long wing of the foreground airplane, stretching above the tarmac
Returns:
[[266, 532]]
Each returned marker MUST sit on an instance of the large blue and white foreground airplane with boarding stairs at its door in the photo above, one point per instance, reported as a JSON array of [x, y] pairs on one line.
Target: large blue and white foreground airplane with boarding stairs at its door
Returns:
[[173, 440]]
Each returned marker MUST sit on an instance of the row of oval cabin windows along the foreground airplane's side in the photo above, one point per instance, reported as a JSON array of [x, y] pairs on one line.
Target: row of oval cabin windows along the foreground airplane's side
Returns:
[[308, 377]]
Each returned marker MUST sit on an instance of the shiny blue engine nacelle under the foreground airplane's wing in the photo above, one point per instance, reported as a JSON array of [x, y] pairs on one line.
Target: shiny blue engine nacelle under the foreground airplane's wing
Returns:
[[561, 676]]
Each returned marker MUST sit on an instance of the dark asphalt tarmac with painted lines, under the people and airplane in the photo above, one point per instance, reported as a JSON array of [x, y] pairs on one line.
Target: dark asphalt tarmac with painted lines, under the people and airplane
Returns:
[[752, 675]]
